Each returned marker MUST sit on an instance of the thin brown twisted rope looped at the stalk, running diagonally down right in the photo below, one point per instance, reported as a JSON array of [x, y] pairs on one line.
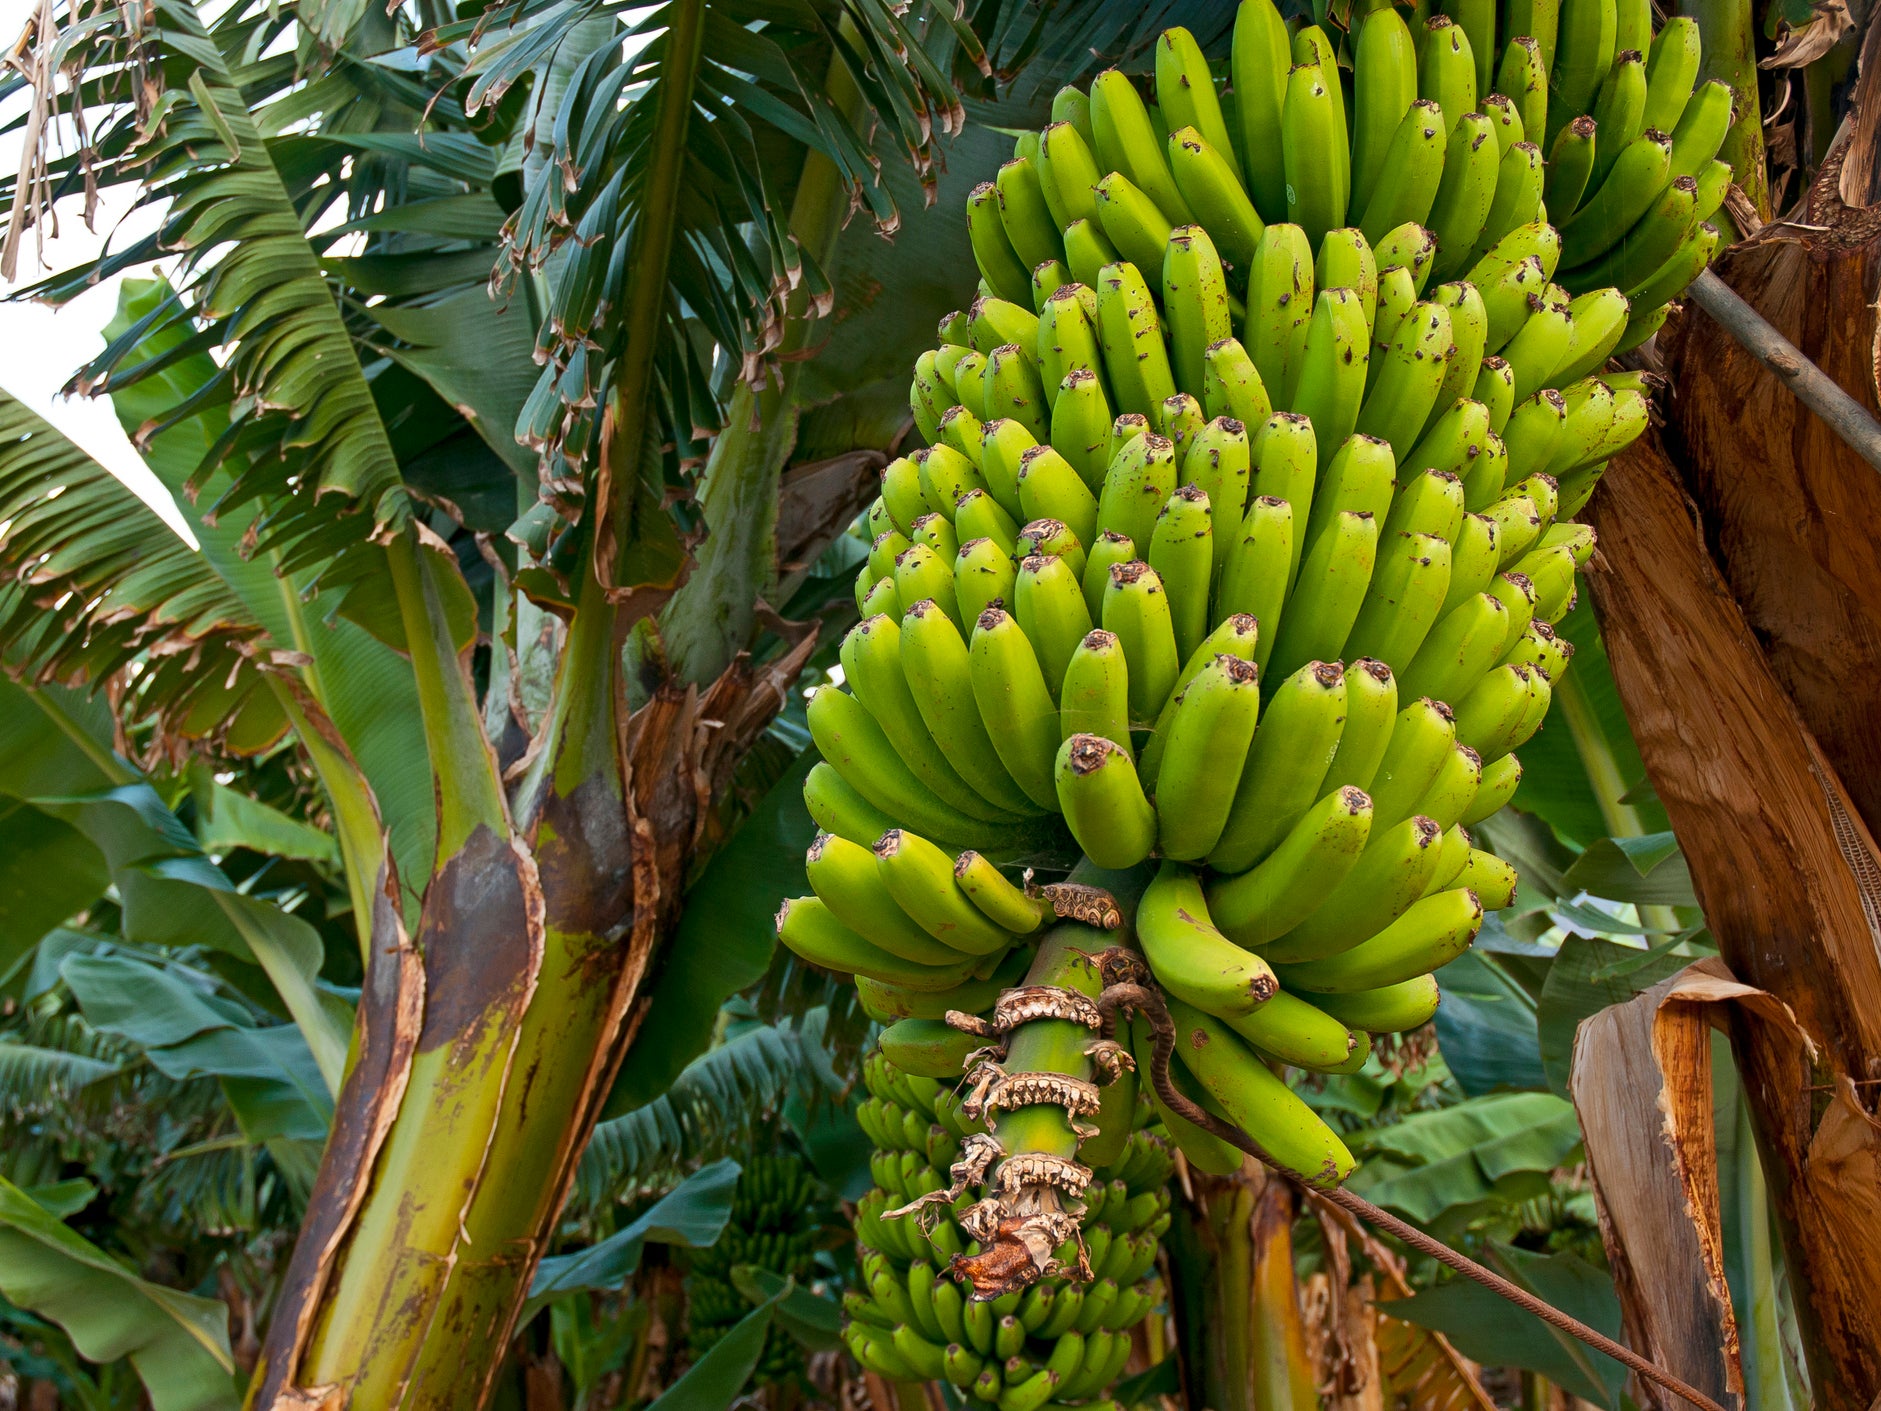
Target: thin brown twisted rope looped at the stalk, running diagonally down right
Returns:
[[1148, 1002]]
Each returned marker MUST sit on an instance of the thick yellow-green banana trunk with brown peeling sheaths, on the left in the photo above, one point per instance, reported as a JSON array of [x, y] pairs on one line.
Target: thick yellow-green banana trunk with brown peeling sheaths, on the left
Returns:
[[488, 1039]]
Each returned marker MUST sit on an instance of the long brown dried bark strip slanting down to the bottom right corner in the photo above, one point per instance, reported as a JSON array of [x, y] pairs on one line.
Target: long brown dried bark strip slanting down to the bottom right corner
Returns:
[[1788, 876]]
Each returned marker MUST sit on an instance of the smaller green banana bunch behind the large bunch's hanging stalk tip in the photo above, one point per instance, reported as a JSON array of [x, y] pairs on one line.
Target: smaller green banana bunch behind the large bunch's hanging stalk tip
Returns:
[[1052, 1342]]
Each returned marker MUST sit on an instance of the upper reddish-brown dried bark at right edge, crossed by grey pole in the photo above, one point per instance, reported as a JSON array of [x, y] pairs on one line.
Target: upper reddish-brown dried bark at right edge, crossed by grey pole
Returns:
[[1788, 509]]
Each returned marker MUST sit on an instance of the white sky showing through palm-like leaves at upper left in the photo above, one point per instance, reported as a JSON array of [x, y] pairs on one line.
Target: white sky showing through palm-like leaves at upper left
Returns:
[[40, 347]]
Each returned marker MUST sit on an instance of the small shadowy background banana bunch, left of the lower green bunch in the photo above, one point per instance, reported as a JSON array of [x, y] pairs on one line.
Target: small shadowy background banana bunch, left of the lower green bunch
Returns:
[[780, 1214]]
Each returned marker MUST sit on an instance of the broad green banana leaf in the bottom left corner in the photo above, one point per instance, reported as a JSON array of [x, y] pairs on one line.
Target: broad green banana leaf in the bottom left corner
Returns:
[[178, 1344]]
